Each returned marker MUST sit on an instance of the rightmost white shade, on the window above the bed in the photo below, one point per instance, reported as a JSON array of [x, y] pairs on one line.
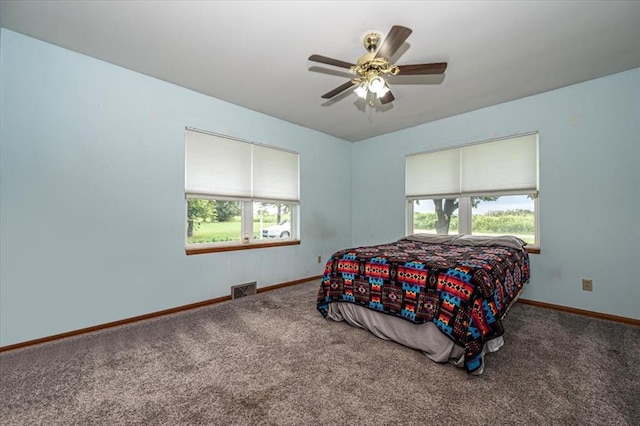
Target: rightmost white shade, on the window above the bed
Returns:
[[503, 165]]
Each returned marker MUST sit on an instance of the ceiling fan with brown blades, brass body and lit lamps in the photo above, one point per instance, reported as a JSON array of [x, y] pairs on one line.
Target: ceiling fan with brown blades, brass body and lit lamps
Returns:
[[374, 65]]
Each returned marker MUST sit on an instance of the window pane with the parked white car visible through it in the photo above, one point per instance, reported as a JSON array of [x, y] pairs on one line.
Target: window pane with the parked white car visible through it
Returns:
[[271, 220]]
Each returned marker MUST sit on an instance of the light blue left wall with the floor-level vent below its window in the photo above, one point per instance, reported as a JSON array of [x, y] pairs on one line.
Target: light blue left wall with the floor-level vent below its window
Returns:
[[92, 194]]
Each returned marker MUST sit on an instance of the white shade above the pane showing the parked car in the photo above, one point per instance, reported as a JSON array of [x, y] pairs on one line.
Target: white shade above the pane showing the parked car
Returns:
[[275, 174]]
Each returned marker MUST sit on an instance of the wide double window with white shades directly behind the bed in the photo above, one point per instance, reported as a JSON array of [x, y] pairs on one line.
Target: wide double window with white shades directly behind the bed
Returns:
[[489, 188]]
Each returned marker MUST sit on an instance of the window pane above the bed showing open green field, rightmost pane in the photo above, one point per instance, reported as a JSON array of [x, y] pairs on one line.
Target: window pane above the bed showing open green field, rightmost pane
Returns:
[[504, 215]]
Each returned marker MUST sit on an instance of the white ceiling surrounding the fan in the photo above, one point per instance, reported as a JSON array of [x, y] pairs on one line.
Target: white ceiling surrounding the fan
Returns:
[[254, 53]]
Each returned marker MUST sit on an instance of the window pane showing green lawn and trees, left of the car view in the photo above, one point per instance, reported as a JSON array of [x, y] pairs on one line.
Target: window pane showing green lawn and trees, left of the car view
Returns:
[[213, 221]]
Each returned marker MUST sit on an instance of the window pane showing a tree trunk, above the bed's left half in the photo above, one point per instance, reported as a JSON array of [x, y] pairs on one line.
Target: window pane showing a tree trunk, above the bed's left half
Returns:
[[435, 216]]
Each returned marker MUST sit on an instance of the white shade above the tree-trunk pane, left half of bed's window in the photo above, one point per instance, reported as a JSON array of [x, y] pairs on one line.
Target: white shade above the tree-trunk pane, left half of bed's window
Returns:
[[433, 173]]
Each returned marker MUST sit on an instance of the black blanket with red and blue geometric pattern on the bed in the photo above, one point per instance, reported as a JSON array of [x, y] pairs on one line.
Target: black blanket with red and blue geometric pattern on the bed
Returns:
[[464, 290]]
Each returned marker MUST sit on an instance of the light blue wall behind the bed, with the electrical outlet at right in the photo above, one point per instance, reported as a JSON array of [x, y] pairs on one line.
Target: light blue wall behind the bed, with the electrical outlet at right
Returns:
[[589, 186]]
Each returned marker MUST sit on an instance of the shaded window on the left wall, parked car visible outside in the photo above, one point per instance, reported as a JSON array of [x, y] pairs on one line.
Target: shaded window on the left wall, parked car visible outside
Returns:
[[239, 194]]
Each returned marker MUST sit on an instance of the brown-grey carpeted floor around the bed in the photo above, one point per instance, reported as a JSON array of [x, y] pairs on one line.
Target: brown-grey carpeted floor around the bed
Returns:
[[272, 359]]
